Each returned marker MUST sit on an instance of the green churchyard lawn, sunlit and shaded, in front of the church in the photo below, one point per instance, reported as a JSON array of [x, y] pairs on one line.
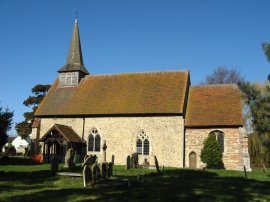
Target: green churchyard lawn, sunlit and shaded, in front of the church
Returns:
[[35, 183]]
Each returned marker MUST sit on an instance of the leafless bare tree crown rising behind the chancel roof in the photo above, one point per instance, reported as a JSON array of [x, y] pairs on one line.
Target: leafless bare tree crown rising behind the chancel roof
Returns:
[[223, 75]]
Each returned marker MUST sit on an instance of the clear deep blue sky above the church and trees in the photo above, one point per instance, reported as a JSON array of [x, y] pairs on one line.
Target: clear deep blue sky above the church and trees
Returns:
[[128, 36]]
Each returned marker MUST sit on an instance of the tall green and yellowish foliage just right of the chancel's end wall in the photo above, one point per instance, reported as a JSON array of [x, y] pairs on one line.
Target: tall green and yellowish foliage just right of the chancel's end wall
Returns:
[[258, 100]]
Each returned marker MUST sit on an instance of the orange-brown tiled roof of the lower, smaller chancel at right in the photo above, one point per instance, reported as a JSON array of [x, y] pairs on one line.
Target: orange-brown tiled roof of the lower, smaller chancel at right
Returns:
[[214, 105]]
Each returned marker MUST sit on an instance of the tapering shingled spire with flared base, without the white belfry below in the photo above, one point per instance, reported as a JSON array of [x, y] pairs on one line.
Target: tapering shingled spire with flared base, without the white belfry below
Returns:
[[74, 61]]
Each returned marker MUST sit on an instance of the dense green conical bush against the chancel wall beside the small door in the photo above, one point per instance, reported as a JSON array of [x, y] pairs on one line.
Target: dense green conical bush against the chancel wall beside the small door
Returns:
[[211, 153]]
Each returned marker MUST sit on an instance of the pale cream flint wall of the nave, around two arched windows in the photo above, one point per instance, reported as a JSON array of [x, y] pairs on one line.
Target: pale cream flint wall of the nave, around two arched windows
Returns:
[[166, 136]]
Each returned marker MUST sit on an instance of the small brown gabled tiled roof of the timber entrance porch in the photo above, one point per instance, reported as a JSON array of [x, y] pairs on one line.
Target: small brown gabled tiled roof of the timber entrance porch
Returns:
[[66, 131]]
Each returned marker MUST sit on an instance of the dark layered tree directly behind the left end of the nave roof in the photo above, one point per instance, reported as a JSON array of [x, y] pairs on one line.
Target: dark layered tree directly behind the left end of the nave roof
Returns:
[[24, 128]]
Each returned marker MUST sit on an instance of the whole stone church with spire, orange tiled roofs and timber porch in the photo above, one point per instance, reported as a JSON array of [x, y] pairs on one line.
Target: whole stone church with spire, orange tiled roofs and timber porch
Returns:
[[152, 113]]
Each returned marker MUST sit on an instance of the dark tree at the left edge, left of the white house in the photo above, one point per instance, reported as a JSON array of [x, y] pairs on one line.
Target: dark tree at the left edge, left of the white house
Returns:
[[5, 125]]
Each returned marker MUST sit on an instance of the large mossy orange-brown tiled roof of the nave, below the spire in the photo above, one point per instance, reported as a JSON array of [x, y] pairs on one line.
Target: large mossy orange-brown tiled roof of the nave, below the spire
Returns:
[[128, 93]]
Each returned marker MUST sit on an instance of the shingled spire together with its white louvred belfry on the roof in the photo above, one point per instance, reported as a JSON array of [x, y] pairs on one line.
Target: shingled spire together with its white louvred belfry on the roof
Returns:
[[74, 69]]
